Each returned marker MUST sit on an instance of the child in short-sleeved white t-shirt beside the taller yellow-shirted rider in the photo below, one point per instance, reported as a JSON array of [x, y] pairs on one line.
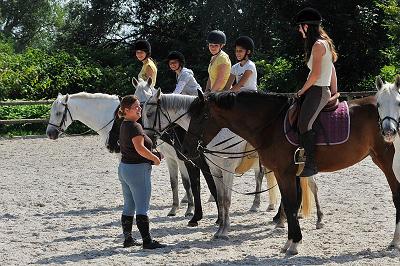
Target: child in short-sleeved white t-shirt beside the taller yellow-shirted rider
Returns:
[[244, 72]]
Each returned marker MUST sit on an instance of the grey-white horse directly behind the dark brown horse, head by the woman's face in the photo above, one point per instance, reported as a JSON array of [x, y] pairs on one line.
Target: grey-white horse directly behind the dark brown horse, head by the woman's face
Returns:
[[176, 107]]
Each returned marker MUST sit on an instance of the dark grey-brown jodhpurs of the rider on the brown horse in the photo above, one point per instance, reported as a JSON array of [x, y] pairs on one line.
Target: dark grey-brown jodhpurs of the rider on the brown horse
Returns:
[[315, 100]]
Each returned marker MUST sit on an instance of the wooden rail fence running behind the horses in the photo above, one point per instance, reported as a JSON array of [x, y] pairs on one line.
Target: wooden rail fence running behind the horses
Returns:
[[343, 95]]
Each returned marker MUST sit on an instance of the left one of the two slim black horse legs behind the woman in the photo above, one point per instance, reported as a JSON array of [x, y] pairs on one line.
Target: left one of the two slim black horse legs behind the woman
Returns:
[[194, 177]]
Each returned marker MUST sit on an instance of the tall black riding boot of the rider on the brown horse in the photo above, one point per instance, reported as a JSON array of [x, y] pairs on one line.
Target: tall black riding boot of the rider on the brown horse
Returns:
[[307, 140]]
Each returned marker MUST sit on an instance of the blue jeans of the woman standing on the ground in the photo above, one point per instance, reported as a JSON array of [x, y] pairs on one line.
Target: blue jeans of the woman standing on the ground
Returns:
[[136, 187]]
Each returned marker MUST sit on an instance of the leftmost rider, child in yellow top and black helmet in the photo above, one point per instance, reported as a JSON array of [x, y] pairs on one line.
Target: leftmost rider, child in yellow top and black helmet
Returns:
[[143, 54]]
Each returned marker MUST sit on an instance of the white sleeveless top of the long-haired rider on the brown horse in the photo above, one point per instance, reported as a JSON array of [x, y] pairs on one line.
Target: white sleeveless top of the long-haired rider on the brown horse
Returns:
[[326, 66]]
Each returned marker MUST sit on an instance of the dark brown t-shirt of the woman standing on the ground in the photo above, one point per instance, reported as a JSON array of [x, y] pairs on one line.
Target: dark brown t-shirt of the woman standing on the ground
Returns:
[[128, 131]]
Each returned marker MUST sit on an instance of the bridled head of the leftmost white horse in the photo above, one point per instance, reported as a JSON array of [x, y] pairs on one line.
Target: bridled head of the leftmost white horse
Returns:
[[60, 117]]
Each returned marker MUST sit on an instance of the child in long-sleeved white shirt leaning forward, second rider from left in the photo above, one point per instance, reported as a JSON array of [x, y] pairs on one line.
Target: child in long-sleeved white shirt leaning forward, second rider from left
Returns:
[[186, 83]]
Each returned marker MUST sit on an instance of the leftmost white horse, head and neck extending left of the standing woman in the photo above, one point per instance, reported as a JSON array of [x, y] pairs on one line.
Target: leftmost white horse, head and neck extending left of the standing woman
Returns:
[[97, 112]]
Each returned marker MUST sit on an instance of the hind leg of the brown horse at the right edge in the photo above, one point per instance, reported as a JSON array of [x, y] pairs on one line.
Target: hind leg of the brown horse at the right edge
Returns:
[[384, 161]]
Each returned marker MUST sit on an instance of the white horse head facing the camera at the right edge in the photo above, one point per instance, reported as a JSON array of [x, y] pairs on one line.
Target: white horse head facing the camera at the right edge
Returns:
[[388, 103]]
